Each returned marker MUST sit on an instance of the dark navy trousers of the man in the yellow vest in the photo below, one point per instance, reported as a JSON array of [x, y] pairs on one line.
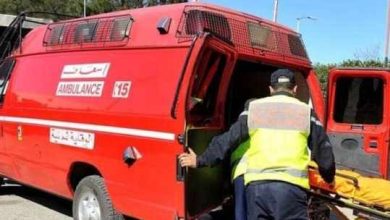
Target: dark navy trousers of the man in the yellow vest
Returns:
[[276, 200]]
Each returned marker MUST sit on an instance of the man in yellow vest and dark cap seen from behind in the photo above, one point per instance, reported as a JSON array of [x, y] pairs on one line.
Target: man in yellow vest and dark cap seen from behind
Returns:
[[283, 134]]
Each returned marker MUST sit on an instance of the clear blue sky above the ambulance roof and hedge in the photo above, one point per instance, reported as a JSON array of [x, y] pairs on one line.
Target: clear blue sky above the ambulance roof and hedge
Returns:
[[343, 29]]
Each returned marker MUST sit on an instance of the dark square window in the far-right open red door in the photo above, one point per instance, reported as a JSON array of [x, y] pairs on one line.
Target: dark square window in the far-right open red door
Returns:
[[359, 100]]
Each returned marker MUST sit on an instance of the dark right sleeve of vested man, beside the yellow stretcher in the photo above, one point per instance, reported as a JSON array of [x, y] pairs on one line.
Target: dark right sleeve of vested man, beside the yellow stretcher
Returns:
[[321, 149]]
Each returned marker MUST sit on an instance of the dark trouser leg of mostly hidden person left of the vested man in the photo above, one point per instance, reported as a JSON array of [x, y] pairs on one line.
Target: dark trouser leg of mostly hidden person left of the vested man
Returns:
[[239, 198]]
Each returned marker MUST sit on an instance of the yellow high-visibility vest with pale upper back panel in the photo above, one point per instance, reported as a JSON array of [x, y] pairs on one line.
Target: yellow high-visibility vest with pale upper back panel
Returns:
[[278, 127]]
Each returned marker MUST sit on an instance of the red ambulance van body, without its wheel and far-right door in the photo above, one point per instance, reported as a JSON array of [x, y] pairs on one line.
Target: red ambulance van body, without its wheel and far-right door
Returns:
[[121, 95]]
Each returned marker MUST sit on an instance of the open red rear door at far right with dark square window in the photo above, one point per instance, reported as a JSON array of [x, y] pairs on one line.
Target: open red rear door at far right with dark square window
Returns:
[[358, 120]]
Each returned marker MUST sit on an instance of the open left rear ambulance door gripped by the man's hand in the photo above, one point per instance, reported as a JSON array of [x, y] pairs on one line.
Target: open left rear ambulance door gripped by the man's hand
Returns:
[[206, 188]]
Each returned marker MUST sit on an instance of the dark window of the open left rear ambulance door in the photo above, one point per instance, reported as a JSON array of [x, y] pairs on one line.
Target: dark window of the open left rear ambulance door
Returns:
[[205, 88]]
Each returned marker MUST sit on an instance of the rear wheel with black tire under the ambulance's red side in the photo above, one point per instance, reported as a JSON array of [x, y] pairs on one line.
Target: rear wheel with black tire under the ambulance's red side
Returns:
[[91, 201]]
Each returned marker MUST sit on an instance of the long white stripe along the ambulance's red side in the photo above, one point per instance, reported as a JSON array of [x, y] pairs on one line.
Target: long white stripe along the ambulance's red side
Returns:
[[91, 127]]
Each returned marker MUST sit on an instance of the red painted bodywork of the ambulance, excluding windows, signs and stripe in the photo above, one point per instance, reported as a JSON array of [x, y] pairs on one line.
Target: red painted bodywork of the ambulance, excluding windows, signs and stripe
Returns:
[[153, 63]]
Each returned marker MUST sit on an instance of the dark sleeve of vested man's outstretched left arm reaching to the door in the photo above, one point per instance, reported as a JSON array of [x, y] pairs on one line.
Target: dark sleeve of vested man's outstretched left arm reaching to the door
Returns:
[[221, 145]]
